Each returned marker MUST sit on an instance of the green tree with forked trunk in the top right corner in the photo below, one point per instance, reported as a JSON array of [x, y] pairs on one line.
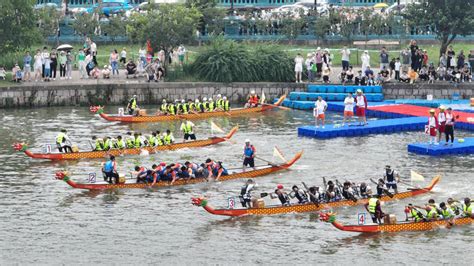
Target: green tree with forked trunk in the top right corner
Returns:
[[447, 19]]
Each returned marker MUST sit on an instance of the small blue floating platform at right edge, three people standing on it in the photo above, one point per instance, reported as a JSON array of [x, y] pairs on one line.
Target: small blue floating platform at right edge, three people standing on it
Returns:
[[458, 148]]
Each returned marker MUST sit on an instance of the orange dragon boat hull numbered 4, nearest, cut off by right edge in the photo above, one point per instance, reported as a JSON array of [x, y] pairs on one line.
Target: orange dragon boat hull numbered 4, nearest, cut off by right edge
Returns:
[[396, 227]]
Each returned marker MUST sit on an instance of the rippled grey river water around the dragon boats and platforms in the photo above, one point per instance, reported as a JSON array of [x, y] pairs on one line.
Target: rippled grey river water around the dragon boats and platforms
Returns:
[[44, 221]]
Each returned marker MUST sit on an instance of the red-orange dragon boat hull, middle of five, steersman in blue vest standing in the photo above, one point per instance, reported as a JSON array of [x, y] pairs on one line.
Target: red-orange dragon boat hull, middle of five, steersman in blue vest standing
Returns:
[[63, 175]]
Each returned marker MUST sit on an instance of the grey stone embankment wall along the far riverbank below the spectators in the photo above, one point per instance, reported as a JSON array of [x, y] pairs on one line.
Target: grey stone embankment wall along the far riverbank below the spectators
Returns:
[[76, 94]]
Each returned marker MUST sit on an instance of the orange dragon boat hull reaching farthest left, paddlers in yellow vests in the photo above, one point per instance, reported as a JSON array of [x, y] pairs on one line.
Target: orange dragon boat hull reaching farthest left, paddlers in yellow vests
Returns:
[[22, 147]]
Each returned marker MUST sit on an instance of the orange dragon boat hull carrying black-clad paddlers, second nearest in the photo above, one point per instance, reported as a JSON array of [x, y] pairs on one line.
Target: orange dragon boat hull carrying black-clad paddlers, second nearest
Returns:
[[307, 207]]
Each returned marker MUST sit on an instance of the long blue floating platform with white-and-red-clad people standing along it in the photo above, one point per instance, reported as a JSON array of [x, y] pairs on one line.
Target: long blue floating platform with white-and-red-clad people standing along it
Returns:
[[374, 127]]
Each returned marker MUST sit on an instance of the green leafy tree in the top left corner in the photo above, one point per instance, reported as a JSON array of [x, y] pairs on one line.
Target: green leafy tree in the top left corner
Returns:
[[17, 25]]
